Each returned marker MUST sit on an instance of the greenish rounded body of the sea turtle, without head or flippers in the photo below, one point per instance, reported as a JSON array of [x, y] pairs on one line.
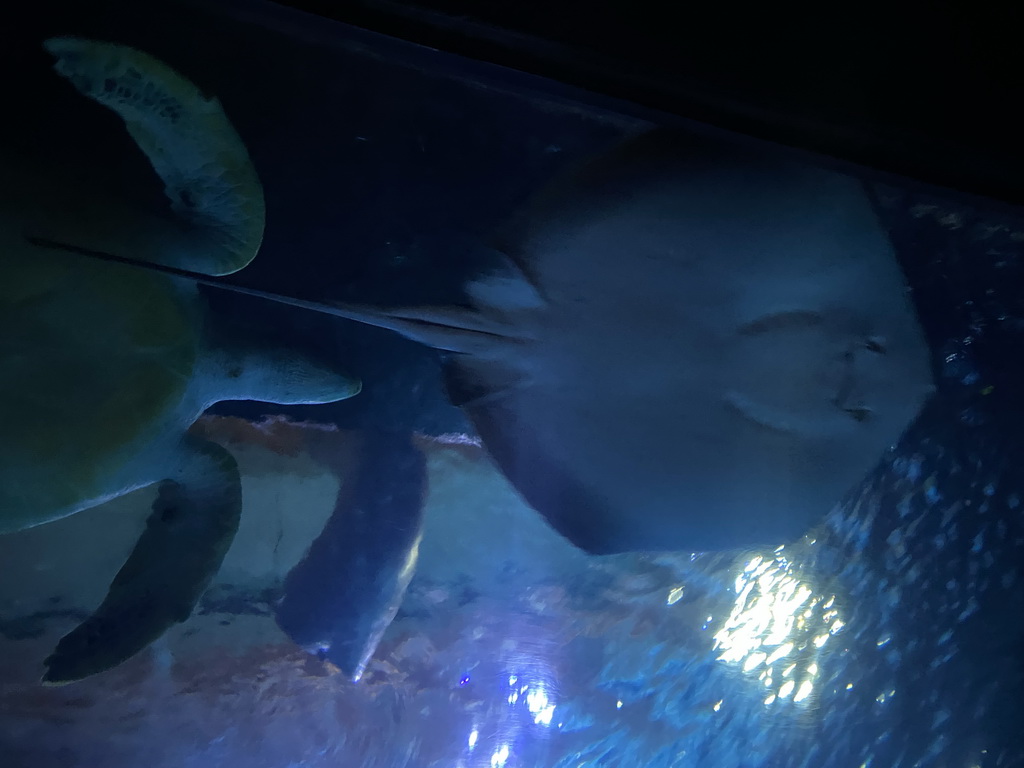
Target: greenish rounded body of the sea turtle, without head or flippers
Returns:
[[97, 358]]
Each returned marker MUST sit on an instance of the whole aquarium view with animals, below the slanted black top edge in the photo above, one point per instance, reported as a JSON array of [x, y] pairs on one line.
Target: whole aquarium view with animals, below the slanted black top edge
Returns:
[[364, 406]]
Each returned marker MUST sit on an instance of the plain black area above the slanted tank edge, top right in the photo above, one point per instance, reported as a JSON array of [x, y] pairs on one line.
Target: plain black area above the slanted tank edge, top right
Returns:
[[927, 91]]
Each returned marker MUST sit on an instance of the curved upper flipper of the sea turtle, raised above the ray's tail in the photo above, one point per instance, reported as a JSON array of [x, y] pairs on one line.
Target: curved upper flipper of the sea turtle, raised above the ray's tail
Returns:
[[193, 147]]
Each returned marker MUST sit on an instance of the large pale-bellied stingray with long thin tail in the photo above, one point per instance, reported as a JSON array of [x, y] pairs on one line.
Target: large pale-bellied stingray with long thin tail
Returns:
[[690, 346]]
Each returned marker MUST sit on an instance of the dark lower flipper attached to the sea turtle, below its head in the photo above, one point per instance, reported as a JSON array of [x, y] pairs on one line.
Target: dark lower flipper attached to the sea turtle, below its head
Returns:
[[193, 524]]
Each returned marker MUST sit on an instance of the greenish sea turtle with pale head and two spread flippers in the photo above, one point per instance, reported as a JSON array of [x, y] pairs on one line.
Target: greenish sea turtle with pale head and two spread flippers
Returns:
[[105, 367]]
